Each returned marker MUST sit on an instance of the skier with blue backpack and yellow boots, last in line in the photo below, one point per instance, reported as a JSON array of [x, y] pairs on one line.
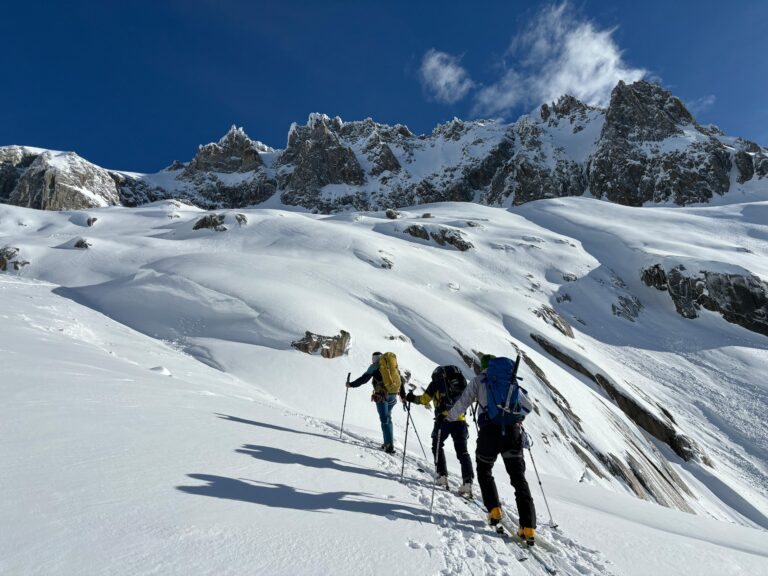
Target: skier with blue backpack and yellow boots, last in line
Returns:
[[495, 438]]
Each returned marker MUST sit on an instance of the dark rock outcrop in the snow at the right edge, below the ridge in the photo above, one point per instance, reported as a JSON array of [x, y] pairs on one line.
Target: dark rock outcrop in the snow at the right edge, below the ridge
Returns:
[[740, 299]]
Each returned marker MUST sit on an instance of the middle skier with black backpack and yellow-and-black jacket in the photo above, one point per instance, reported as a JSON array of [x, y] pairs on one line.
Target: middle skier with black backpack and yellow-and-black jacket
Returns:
[[444, 389]]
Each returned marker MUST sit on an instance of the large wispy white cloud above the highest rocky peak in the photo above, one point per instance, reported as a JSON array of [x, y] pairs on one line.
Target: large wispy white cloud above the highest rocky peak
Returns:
[[559, 53]]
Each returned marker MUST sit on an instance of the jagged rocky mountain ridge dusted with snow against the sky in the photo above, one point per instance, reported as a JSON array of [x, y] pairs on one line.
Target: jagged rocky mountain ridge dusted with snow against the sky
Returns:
[[645, 148]]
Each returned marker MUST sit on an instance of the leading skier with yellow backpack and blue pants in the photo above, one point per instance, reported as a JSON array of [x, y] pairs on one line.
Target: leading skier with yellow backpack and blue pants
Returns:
[[387, 385]]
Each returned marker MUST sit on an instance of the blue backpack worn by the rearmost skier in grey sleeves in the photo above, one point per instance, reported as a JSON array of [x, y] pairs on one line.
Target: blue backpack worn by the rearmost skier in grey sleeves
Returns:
[[507, 402]]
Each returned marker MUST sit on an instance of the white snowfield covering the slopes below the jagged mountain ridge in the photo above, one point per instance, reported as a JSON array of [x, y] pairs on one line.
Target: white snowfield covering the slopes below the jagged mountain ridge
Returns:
[[155, 418]]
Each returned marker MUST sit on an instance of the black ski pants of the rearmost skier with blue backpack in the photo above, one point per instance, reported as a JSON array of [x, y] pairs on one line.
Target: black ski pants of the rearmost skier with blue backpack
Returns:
[[493, 440]]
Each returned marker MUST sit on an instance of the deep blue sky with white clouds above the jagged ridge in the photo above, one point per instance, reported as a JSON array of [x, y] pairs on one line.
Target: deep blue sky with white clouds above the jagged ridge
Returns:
[[135, 85]]
